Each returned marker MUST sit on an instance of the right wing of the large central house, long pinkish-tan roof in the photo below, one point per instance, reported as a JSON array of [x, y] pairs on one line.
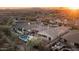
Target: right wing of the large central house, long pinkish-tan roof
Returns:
[[53, 33]]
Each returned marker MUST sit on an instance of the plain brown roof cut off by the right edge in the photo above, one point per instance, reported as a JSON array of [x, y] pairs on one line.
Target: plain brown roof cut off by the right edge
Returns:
[[72, 37]]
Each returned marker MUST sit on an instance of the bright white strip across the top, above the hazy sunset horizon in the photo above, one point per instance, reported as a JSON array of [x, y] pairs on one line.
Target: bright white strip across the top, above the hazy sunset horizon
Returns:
[[39, 3]]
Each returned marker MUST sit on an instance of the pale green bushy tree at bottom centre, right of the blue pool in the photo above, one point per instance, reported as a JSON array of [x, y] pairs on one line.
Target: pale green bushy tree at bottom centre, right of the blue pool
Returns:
[[36, 43]]
